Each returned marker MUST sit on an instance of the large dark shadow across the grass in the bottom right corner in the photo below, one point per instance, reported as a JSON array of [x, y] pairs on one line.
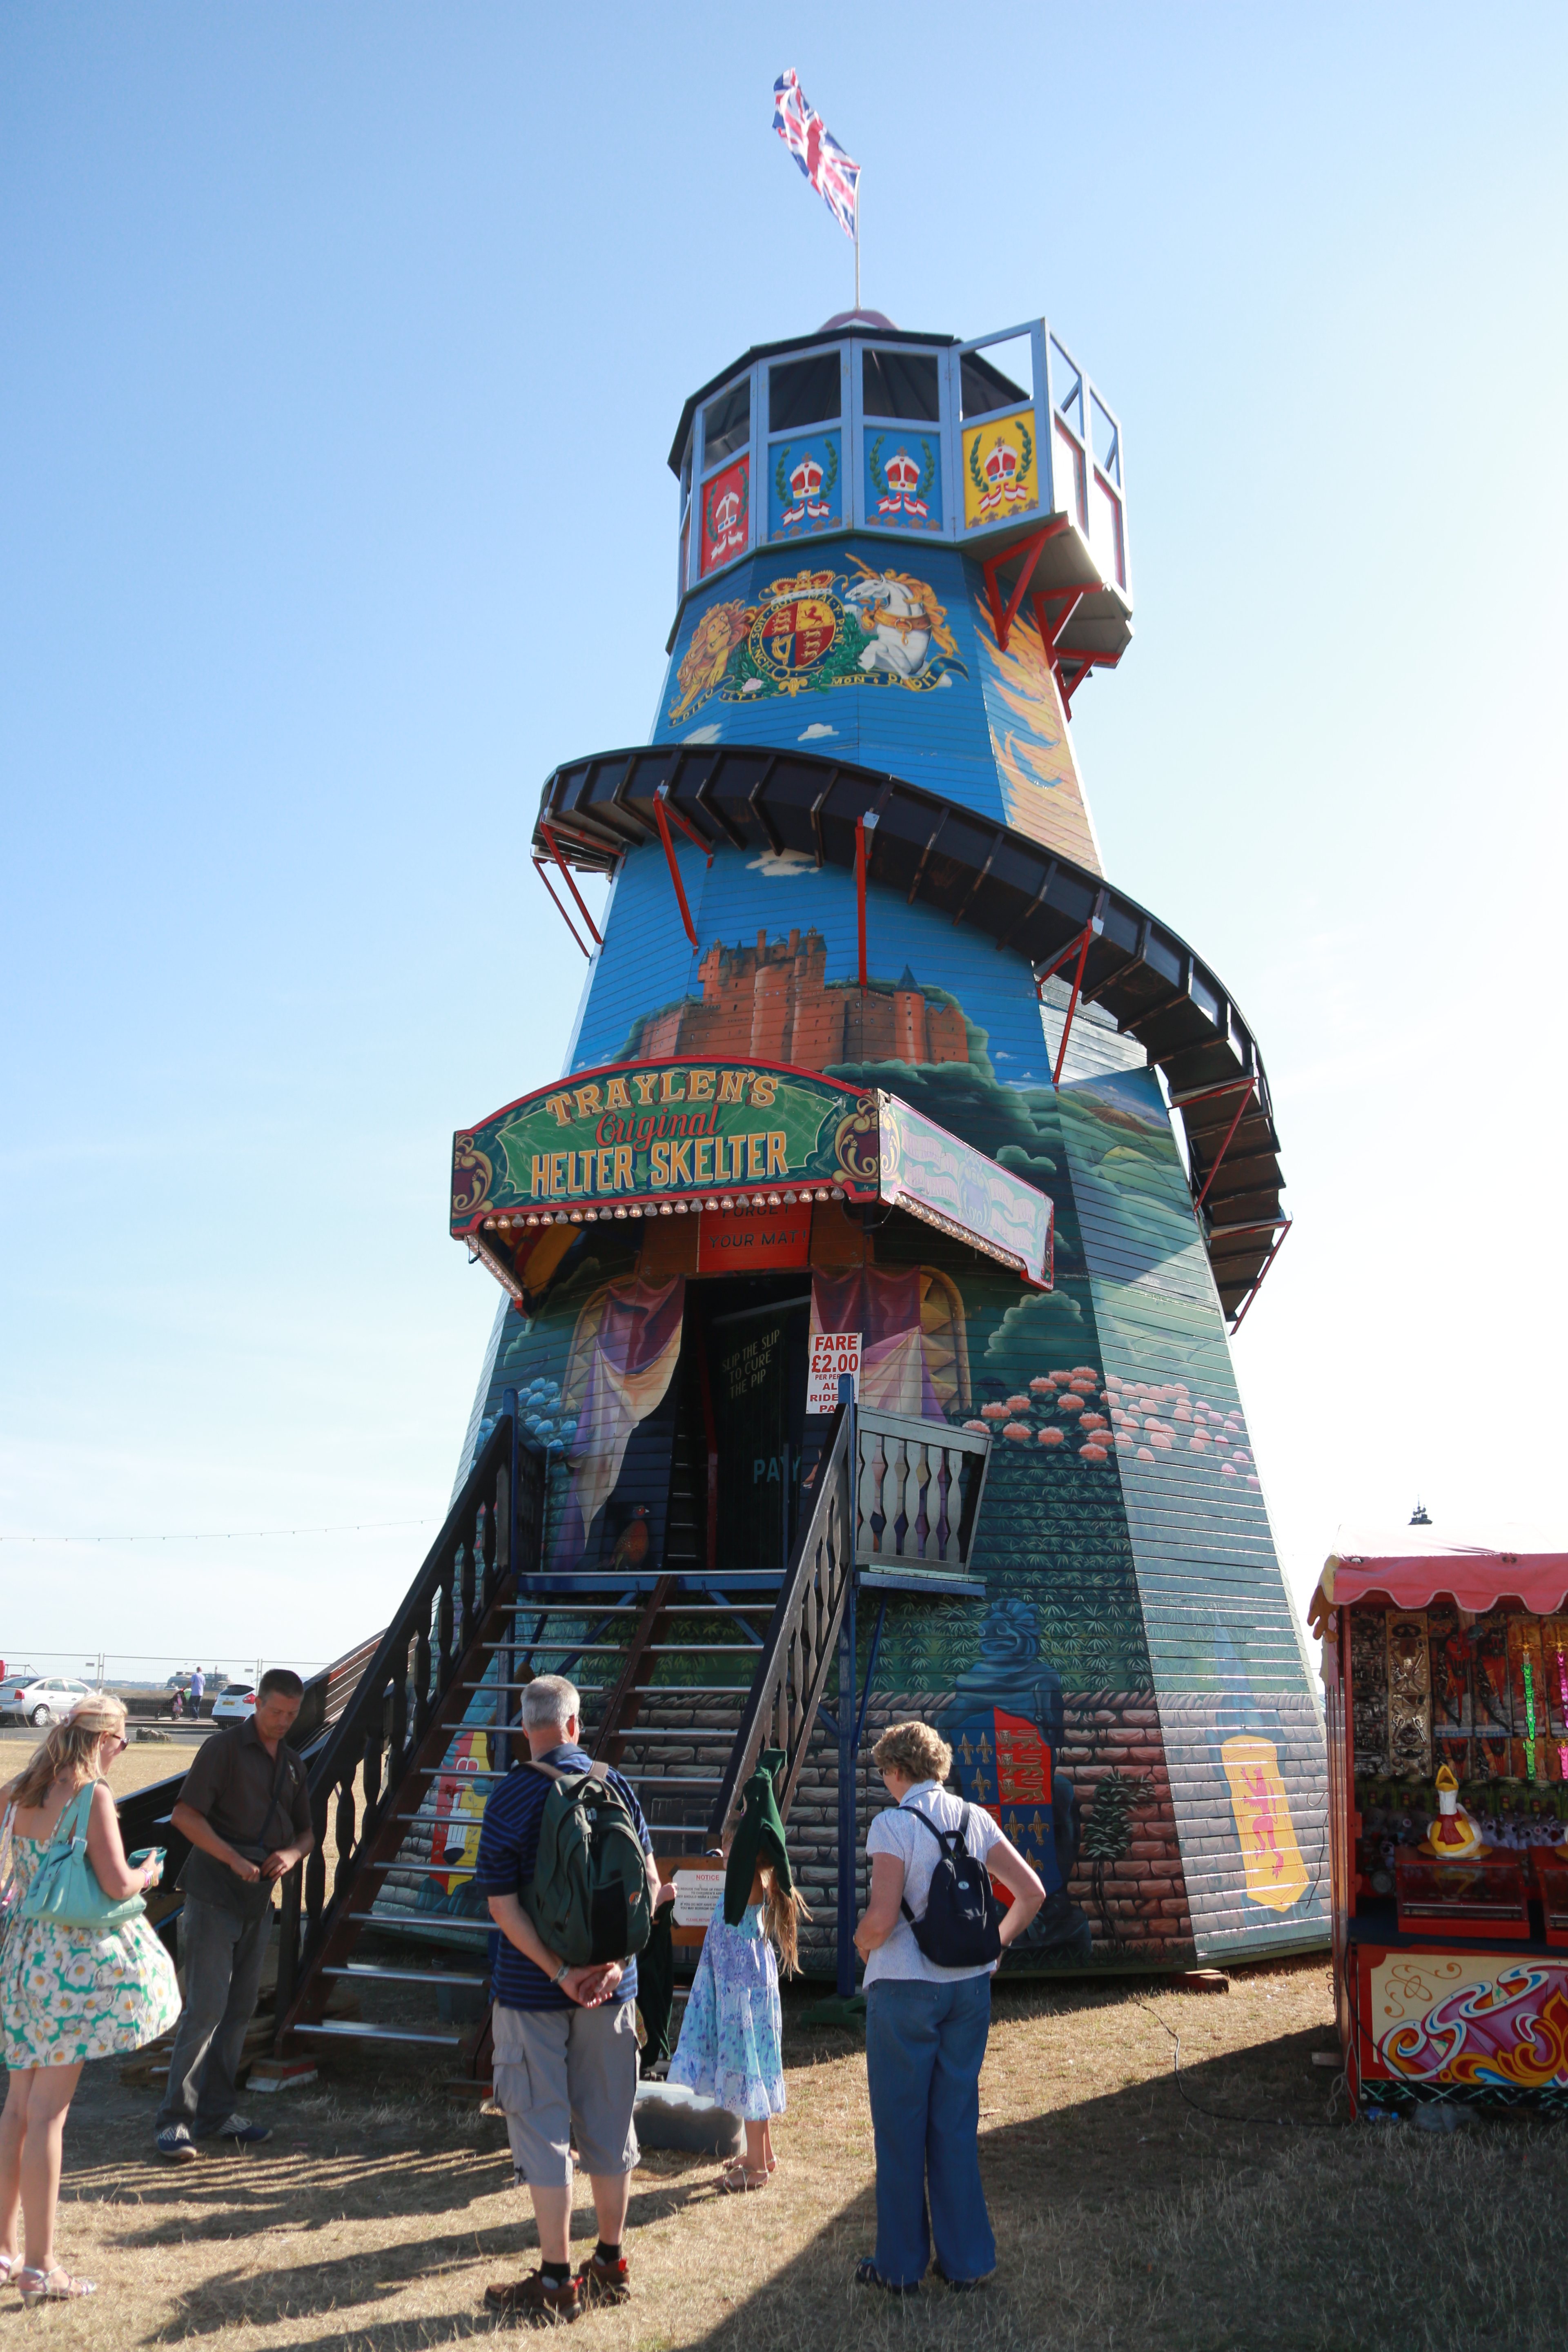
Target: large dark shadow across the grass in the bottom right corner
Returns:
[[1137, 2221]]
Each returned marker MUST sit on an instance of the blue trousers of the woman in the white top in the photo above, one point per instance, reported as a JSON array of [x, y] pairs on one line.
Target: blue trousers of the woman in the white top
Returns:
[[923, 2059]]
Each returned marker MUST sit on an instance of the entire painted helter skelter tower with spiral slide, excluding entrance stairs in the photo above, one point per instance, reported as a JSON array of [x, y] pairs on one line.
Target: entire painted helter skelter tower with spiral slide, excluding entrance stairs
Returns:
[[862, 1008]]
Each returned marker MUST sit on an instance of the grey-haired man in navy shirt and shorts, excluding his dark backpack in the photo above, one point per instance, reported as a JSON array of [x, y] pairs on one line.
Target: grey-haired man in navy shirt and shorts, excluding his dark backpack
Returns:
[[565, 2038]]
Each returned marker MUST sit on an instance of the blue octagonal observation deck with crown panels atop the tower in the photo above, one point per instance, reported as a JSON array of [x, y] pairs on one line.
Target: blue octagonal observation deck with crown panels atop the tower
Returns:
[[1000, 446]]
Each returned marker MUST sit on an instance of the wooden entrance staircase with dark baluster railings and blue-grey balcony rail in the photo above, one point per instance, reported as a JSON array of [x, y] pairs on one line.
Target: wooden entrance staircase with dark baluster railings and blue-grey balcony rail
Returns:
[[685, 1678]]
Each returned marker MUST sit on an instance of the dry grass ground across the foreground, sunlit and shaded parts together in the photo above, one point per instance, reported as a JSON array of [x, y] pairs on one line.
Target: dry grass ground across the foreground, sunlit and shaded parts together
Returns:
[[1125, 2219]]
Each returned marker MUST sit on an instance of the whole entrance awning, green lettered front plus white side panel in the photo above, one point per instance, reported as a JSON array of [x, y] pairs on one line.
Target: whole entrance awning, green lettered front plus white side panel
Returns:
[[723, 1137]]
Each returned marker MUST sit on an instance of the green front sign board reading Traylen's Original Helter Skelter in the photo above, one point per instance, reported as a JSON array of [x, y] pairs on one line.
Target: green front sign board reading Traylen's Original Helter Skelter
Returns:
[[666, 1130]]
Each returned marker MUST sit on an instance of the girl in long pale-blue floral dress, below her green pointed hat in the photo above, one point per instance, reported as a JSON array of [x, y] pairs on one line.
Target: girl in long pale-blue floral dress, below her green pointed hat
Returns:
[[732, 2036]]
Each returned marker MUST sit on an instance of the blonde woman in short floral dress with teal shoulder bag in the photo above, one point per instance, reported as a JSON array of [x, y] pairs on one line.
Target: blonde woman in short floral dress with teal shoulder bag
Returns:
[[67, 1993]]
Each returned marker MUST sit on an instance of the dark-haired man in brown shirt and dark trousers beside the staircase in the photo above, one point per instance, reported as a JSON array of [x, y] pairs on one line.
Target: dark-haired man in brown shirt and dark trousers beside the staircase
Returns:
[[248, 1817]]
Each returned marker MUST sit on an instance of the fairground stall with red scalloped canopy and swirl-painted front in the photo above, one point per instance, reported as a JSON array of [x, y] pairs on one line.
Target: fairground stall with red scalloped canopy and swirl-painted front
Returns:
[[1447, 1676]]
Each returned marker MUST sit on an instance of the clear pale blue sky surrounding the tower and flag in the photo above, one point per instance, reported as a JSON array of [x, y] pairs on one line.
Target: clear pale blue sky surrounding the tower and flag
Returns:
[[342, 356]]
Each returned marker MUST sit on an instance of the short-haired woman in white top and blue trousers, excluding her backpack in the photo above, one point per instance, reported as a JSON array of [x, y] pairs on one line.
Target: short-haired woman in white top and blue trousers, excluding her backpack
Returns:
[[925, 2026]]
